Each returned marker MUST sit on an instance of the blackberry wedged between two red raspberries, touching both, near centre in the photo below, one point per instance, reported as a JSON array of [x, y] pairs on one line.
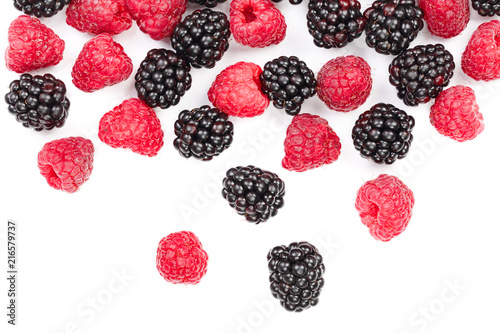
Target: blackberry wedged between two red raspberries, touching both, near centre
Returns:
[[287, 82]]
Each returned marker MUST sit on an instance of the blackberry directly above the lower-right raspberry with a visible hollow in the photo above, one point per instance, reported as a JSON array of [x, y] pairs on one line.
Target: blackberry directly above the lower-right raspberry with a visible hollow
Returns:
[[383, 133]]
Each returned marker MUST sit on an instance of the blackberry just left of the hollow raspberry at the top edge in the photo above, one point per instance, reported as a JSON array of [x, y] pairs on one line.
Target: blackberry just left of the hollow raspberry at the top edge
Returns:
[[202, 37]]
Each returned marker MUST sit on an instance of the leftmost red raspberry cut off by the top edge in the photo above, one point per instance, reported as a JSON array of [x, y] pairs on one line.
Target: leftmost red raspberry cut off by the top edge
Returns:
[[99, 16]]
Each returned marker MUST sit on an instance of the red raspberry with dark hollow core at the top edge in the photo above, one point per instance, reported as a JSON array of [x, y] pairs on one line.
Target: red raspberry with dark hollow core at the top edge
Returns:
[[256, 23]]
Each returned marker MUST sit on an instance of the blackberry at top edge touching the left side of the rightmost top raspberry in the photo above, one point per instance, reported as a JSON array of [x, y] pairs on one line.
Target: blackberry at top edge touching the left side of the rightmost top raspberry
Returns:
[[392, 25]]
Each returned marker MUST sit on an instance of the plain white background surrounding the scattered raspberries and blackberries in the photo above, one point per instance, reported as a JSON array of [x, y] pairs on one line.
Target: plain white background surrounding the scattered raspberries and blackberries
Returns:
[[440, 275]]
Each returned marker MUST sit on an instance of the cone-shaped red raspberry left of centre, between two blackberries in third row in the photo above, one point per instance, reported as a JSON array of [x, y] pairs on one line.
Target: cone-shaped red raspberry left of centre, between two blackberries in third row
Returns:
[[133, 125]]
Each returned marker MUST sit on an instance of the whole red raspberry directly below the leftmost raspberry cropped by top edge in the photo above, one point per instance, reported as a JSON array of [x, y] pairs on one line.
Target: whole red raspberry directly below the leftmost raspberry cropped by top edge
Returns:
[[101, 63]]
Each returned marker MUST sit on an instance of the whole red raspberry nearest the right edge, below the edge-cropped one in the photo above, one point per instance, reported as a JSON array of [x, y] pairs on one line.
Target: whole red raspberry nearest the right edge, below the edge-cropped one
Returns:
[[455, 114]]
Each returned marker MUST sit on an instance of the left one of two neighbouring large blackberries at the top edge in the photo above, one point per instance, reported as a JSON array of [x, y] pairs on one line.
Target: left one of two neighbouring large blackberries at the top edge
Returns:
[[334, 23]]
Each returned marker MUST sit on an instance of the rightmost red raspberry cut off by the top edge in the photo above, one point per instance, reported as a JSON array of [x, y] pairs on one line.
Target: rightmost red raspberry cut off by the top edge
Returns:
[[446, 18]]
